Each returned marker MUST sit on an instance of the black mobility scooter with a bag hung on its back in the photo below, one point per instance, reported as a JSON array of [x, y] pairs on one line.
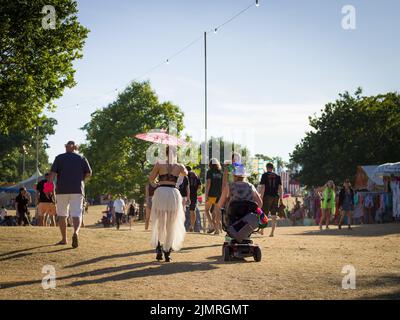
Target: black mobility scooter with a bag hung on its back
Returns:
[[240, 221]]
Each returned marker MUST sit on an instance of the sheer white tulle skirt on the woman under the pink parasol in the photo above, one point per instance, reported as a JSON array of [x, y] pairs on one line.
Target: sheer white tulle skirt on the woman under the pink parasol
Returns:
[[168, 219]]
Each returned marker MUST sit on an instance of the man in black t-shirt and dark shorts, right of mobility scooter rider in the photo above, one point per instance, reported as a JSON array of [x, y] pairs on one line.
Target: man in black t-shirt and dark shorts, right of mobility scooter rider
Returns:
[[271, 192]]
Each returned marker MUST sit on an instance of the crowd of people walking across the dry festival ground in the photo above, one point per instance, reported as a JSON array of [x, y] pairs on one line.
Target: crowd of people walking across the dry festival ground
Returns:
[[172, 195]]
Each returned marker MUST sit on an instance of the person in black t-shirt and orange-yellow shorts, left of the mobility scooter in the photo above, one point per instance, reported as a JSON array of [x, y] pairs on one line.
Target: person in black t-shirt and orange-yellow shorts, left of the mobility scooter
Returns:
[[214, 179]]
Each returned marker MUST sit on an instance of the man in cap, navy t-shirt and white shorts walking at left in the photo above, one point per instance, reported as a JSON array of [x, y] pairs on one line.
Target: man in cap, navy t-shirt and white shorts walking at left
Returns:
[[71, 170]]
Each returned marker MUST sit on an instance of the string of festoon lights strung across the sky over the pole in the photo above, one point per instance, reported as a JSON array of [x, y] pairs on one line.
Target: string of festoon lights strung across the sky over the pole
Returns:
[[168, 59]]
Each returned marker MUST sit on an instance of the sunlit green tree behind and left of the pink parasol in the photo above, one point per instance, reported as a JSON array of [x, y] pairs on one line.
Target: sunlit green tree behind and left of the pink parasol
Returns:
[[117, 158]]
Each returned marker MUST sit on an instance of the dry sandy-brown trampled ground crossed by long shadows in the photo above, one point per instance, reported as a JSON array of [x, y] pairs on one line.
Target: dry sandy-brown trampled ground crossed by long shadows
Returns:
[[298, 263]]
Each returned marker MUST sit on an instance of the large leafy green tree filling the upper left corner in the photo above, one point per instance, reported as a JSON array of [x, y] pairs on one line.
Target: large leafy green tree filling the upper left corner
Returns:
[[36, 62]]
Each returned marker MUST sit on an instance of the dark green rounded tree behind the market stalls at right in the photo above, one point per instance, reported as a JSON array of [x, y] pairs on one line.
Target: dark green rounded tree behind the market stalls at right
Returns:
[[353, 130]]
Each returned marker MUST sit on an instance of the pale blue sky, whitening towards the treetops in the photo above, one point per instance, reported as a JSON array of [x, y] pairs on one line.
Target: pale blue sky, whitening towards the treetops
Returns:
[[268, 70]]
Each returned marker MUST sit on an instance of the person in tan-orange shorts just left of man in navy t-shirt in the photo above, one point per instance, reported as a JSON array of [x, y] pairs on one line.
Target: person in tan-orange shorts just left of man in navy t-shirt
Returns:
[[46, 203]]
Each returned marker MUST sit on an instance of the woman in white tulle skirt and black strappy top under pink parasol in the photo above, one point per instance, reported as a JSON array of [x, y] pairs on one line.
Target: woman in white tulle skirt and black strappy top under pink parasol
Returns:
[[167, 213]]
